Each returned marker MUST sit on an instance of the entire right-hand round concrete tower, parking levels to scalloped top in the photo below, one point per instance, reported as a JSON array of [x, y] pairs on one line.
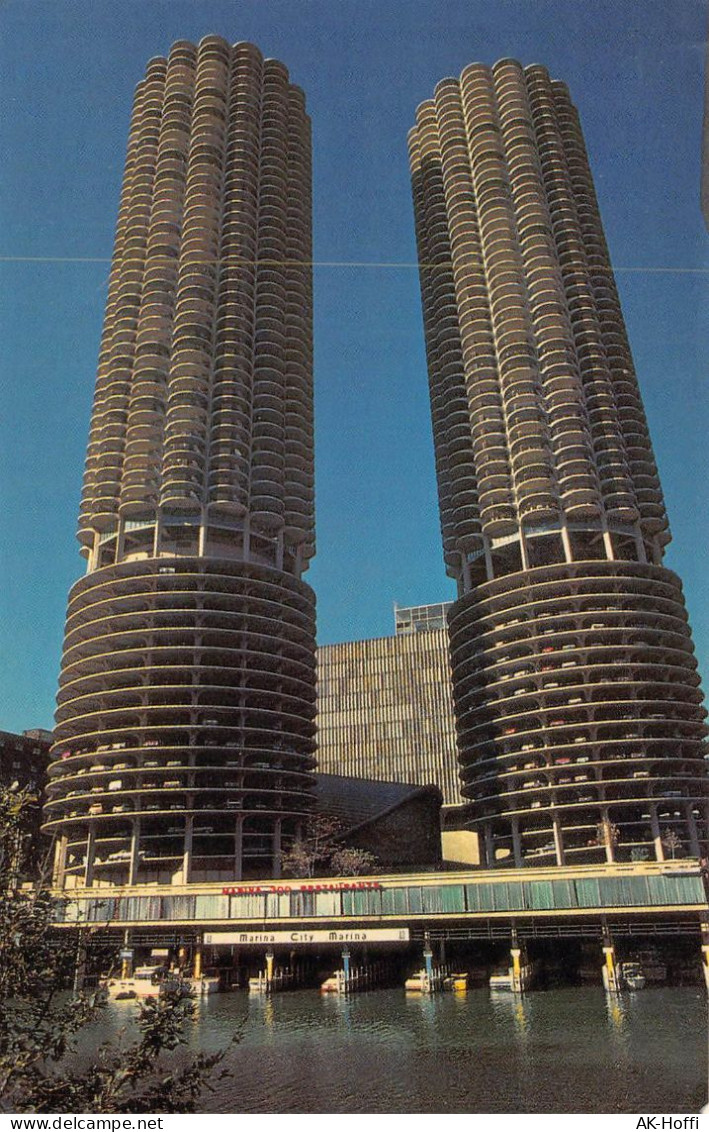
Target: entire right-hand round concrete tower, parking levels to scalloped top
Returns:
[[578, 701]]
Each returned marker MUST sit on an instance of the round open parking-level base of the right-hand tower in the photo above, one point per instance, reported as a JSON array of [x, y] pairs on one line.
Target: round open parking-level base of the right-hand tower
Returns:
[[578, 705]]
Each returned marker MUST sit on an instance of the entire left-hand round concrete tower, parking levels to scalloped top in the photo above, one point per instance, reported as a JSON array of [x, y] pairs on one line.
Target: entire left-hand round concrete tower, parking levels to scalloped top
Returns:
[[185, 727]]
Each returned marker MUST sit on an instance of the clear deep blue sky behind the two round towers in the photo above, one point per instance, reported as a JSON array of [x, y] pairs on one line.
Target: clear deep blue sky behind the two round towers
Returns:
[[69, 70]]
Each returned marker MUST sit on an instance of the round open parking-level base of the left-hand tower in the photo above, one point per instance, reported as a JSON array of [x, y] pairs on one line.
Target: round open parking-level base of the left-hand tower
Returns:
[[187, 700]]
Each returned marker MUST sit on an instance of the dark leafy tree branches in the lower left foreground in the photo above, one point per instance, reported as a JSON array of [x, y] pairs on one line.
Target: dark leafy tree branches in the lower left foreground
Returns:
[[41, 1020]]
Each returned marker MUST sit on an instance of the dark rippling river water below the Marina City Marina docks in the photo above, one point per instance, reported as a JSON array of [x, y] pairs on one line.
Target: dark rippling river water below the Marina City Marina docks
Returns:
[[569, 1050]]
